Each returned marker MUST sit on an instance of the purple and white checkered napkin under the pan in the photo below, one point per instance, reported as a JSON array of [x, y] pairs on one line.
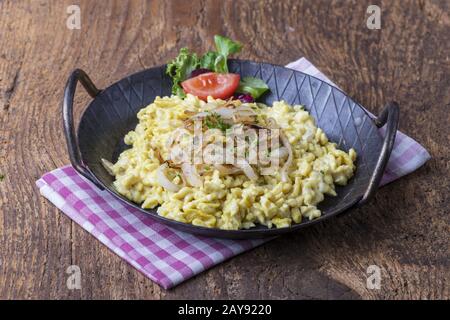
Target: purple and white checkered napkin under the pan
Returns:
[[167, 256]]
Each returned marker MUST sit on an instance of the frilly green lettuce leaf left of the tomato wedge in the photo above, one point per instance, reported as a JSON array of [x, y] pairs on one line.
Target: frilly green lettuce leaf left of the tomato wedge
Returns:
[[180, 68]]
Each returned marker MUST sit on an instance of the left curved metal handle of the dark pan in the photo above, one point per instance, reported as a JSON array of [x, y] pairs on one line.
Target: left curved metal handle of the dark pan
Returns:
[[77, 75]]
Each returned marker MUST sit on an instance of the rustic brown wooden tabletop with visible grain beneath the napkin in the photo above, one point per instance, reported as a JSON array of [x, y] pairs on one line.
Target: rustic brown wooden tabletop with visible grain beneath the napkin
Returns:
[[404, 230]]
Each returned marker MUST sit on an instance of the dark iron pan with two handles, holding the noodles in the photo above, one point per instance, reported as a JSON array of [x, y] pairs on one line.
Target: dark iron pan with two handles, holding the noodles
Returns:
[[112, 113]]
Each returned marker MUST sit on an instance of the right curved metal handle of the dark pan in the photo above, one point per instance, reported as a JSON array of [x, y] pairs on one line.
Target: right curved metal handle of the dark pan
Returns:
[[390, 117]]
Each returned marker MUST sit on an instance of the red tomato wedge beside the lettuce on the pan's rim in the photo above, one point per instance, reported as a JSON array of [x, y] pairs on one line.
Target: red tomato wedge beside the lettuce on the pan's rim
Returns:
[[216, 85]]
